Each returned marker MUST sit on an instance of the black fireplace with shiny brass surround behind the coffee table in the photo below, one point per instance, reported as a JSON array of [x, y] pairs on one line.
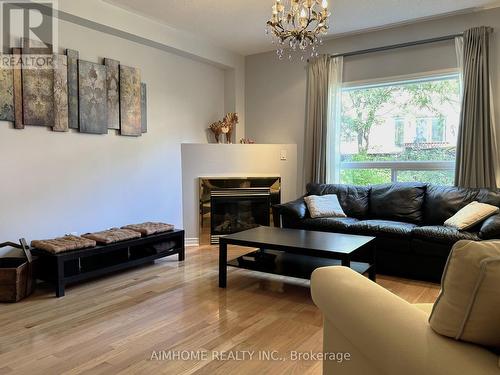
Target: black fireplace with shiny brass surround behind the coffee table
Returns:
[[234, 204]]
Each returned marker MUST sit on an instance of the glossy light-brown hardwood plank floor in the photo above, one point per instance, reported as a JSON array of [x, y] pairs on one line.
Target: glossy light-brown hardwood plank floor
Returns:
[[124, 323]]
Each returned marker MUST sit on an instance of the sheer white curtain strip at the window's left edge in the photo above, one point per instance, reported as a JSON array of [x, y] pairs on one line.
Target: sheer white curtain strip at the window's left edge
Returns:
[[336, 69]]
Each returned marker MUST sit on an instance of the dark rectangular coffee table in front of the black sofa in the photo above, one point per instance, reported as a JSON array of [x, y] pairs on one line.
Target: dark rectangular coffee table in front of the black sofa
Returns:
[[297, 253]]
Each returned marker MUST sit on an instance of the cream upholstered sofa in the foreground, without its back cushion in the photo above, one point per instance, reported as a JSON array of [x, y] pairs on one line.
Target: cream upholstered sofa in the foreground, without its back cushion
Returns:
[[384, 334]]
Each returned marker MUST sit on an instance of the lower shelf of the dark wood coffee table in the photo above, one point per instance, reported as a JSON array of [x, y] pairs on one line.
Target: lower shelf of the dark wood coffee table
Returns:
[[286, 264]]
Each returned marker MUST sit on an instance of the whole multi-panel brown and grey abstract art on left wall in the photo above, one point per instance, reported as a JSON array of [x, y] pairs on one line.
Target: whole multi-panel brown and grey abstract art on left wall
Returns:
[[66, 93]]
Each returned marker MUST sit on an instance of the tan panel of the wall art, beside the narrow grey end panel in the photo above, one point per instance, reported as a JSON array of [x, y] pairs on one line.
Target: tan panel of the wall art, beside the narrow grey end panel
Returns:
[[130, 101]]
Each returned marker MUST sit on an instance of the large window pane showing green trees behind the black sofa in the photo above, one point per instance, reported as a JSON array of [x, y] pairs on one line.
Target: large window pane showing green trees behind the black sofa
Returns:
[[402, 131]]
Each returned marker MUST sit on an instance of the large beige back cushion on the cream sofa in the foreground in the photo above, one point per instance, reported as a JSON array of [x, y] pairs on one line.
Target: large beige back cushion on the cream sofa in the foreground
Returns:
[[468, 305]]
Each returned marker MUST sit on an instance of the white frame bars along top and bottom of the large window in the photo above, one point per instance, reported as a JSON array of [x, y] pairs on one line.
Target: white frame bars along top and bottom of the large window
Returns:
[[399, 166]]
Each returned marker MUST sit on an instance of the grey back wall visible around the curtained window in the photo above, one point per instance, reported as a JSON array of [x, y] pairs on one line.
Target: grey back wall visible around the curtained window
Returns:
[[276, 90]]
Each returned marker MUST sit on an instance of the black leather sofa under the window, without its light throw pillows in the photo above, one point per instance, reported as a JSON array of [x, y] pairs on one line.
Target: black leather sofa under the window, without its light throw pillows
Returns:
[[406, 218]]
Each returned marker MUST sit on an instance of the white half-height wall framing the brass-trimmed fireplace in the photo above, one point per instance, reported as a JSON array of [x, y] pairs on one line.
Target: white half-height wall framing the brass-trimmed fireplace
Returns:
[[213, 160]]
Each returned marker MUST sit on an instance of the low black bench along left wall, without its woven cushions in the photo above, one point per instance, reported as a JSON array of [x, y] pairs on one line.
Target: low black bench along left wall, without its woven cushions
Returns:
[[79, 265]]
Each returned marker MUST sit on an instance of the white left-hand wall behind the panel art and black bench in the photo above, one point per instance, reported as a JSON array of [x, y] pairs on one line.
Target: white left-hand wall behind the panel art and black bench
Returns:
[[57, 183]]
